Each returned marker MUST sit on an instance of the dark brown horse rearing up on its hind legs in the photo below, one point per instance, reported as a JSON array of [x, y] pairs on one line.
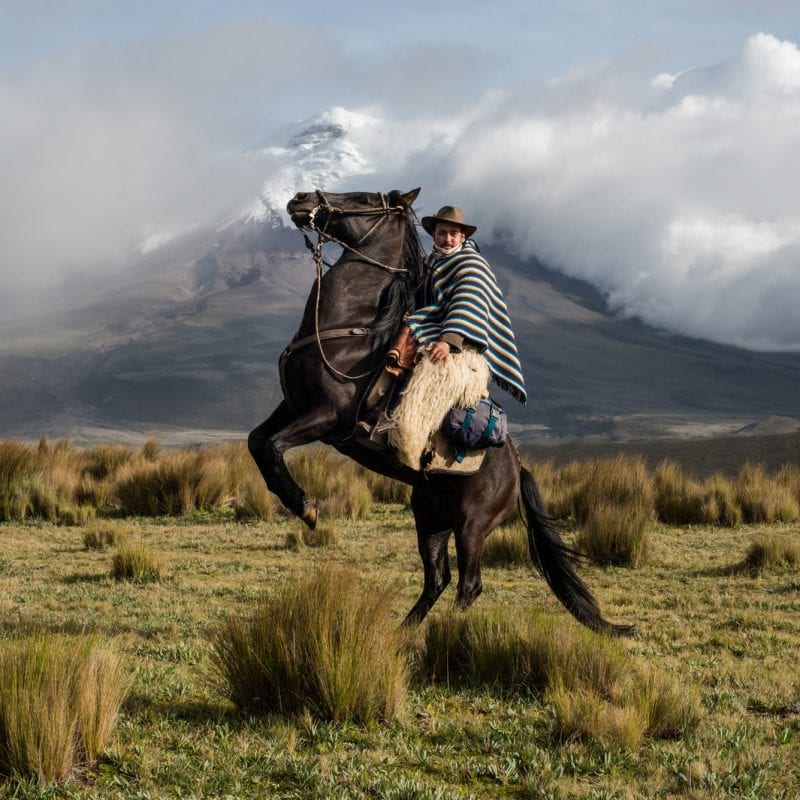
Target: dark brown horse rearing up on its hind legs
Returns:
[[354, 309]]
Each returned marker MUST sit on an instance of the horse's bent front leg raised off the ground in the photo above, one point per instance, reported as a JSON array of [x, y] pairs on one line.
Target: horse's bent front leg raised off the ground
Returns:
[[269, 442]]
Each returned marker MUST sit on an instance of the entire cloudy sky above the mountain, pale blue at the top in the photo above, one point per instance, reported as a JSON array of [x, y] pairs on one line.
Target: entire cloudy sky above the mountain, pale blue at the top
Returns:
[[647, 147]]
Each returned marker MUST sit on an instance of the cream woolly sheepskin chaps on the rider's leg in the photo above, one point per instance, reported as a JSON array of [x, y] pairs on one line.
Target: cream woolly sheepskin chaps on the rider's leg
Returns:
[[432, 390]]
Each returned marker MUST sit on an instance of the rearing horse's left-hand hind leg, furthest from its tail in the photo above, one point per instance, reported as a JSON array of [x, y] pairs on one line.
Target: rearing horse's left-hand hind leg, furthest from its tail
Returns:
[[432, 541]]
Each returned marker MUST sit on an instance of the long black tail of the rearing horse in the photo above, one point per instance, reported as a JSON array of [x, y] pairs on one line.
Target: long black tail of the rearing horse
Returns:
[[555, 560]]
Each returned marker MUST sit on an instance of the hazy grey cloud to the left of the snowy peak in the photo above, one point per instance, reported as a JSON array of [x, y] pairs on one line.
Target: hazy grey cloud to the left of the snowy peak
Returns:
[[103, 149]]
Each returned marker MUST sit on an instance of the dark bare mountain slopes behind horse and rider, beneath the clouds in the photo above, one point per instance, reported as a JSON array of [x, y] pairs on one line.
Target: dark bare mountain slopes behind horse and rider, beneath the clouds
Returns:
[[188, 337]]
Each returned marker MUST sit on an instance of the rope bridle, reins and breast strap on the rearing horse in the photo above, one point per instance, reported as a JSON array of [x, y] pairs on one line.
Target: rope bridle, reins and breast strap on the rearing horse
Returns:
[[383, 213]]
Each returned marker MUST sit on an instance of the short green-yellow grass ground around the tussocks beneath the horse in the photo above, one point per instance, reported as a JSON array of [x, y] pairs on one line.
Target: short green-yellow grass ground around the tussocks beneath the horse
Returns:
[[729, 633]]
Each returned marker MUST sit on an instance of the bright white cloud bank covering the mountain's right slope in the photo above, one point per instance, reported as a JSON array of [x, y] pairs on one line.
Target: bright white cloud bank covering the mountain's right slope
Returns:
[[676, 195]]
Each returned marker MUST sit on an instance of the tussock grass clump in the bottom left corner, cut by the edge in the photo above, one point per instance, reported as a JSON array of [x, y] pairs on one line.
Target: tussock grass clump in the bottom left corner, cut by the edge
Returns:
[[59, 701]]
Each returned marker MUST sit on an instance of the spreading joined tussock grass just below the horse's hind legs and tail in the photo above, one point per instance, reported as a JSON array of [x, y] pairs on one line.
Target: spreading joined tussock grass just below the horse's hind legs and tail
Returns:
[[596, 692]]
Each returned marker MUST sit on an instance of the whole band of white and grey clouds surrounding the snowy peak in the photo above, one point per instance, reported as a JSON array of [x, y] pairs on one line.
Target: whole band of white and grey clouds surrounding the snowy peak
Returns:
[[676, 195]]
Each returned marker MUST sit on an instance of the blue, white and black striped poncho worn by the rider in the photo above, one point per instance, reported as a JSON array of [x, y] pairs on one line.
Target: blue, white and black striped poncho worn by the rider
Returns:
[[464, 299]]
